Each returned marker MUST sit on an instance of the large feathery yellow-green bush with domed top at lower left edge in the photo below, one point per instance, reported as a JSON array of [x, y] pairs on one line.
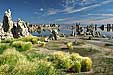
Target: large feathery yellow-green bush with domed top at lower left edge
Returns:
[[11, 57]]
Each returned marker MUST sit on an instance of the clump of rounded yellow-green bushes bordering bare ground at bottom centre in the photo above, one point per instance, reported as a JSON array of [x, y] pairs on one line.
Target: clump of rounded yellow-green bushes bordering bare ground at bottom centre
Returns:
[[73, 63]]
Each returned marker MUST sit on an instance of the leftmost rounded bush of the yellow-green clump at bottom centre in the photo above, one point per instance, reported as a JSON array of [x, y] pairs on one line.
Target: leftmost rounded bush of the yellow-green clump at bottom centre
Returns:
[[61, 60]]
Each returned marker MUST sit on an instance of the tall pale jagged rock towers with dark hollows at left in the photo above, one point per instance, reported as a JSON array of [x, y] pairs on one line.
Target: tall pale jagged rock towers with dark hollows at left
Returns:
[[12, 29]]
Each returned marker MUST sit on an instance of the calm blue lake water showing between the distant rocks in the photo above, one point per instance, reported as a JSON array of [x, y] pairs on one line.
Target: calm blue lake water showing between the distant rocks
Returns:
[[65, 29]]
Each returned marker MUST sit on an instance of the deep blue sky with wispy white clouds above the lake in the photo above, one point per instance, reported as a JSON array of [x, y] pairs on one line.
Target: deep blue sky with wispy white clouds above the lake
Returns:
[[59, 11]]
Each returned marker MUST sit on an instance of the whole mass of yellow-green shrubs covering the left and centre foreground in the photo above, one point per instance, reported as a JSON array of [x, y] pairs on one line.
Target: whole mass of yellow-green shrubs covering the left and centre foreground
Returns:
[[18, 58]]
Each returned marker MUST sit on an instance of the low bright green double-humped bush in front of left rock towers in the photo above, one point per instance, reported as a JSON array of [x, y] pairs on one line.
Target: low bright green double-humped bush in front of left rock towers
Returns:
[[22, 46]]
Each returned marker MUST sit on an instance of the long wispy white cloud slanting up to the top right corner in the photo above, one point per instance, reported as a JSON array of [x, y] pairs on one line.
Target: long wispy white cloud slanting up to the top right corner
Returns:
[[71, 9]]
